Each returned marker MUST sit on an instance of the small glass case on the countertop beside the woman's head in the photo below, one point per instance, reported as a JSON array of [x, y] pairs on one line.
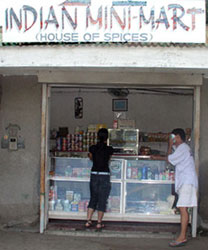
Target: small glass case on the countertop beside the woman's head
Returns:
[[124, 141]]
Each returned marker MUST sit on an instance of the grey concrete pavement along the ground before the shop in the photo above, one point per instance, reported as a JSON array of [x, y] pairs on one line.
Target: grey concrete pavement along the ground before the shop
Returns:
[[25, 240]]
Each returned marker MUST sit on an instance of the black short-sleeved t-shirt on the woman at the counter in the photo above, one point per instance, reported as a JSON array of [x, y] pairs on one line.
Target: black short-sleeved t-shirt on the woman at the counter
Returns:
[[101, 154]]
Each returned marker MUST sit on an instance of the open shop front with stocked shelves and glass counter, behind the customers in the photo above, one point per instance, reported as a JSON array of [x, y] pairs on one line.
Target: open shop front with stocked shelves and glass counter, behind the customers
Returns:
[[76, 113]]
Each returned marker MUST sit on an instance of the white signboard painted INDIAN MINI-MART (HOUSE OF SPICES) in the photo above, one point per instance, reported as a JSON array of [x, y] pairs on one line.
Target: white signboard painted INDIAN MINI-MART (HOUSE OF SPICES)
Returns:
[[74, 21]]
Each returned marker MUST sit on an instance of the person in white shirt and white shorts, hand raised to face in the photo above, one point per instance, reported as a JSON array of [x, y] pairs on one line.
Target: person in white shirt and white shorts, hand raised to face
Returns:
[[186, 181]]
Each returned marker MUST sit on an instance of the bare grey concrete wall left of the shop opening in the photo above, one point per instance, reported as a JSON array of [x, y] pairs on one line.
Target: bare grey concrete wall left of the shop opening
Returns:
[[19, 170]]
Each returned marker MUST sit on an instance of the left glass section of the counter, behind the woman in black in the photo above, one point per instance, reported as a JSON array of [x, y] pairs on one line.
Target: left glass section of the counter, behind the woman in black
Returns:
[[69, 192]]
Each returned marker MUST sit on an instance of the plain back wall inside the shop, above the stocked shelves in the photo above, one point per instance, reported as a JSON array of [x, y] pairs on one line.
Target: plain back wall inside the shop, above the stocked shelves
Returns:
[[152, 113]]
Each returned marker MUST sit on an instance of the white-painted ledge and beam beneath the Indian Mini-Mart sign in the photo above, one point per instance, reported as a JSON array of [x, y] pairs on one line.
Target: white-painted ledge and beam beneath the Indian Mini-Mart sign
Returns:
[[107, 64]]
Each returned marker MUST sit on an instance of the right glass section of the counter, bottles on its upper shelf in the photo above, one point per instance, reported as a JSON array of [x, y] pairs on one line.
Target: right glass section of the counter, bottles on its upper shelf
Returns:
[[148, 184]]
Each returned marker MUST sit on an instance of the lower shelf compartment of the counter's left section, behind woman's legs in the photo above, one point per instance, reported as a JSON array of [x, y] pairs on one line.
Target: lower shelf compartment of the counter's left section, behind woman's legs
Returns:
[[72, 197]]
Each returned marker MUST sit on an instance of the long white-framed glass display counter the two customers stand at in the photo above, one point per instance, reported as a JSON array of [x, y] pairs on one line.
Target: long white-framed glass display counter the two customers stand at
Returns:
[[141, 189]]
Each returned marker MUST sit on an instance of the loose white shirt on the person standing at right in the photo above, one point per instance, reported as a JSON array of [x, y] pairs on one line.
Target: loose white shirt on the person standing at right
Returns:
[[185, 172]]
